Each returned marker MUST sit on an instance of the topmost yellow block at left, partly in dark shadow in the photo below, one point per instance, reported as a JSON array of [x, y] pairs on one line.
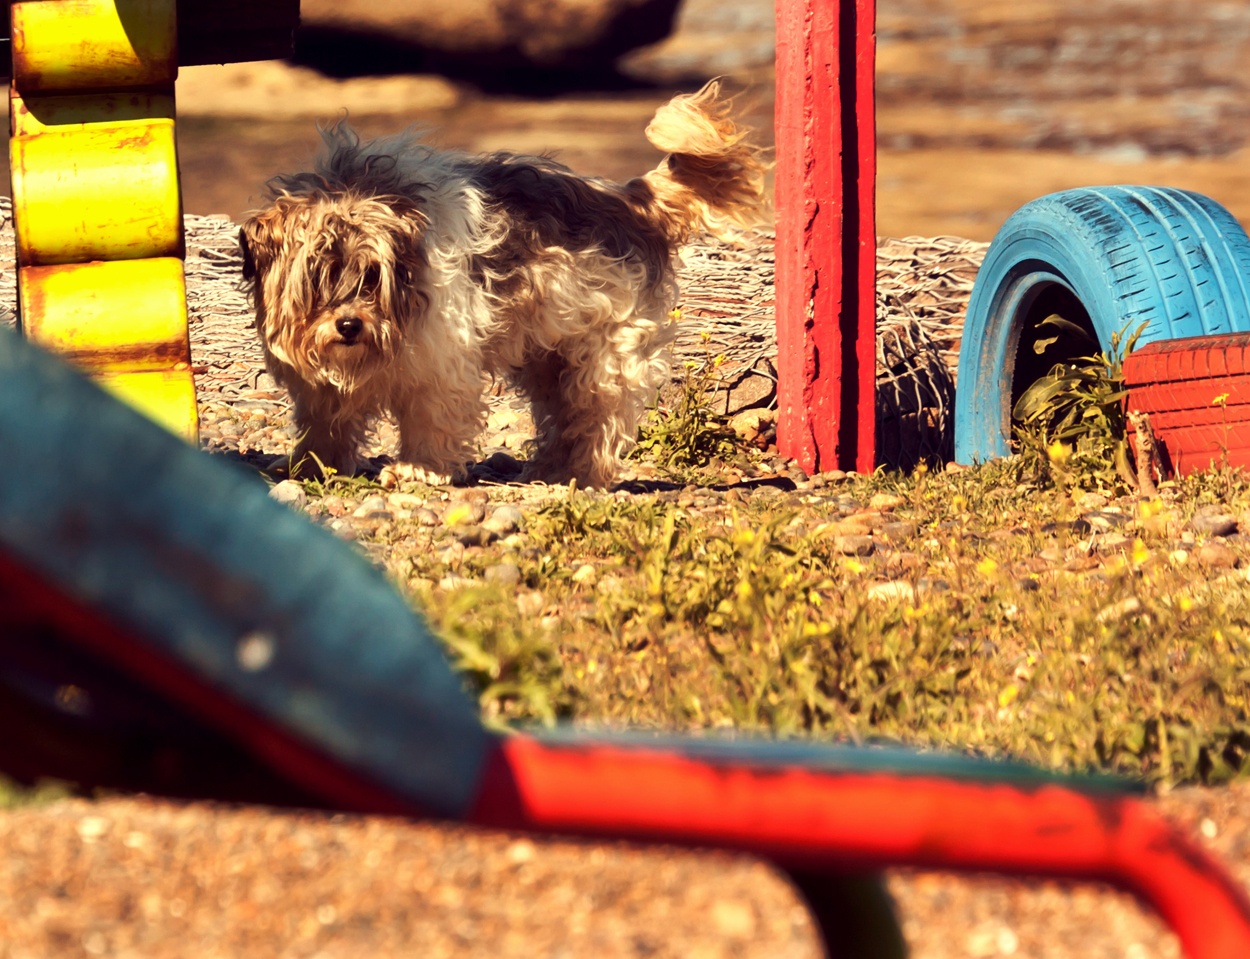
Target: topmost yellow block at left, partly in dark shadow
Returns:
[[93, 44]]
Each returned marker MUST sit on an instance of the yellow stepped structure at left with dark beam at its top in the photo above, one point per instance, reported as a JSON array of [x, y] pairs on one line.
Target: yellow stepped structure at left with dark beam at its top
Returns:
[[96, 188]]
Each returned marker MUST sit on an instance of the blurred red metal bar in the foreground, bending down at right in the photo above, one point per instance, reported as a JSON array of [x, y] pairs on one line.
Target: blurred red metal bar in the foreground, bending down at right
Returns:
[[811, 821]]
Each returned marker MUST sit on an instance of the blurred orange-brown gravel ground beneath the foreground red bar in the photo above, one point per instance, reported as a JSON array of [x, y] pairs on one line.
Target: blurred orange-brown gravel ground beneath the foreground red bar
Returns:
[[148, 878]]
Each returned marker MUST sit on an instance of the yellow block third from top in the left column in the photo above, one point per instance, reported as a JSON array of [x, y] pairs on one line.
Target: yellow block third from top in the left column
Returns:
[[109, 317]]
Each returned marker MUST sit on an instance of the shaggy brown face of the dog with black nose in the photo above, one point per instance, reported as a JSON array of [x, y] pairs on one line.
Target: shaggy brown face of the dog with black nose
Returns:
[[336, 283]]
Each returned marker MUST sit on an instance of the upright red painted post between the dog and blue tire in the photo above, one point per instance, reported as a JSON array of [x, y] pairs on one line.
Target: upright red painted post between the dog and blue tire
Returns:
[[827, 233]]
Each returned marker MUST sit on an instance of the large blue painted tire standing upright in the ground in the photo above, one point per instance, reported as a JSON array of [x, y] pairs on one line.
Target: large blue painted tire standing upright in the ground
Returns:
[[1173, 261]]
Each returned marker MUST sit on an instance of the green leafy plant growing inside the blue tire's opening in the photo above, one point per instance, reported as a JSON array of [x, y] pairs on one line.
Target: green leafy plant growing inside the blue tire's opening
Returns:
[[1072, 423]]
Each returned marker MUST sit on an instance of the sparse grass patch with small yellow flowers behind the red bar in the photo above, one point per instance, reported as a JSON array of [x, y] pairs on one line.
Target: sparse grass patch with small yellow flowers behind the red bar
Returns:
[[753, 616]]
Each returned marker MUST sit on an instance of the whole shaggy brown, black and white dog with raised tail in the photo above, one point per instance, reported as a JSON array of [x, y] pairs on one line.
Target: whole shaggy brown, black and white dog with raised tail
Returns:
[[399, 278]]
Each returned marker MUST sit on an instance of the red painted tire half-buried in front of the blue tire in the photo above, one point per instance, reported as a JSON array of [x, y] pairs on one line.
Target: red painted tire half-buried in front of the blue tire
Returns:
[[1197, 392]]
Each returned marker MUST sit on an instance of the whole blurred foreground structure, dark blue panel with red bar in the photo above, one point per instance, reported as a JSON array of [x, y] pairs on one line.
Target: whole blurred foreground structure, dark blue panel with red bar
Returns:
[[166, 626]]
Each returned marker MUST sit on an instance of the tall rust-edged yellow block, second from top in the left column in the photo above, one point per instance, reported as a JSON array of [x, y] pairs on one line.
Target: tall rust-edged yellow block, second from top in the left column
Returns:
[[91, 192]]
